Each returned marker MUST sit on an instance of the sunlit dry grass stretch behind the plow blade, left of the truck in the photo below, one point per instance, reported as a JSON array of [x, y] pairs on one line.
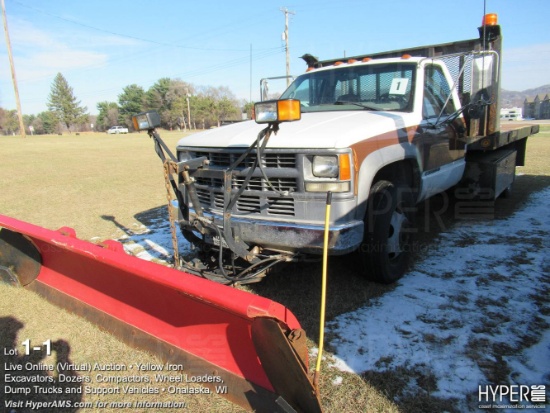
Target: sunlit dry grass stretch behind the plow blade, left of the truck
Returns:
[[74, 180]]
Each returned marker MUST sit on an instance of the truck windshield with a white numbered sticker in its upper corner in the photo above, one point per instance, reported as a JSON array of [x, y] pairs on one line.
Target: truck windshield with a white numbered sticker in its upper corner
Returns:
[[384, 87]]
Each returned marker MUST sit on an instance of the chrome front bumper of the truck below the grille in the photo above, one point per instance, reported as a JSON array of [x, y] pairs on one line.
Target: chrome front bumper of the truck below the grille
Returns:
[[291, 236]]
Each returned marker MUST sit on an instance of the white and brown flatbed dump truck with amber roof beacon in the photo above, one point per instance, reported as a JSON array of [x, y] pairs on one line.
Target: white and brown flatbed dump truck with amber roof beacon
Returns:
[[381, 132]]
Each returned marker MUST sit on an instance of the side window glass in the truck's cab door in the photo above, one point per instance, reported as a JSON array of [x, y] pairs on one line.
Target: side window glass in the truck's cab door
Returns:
[[436, 93]]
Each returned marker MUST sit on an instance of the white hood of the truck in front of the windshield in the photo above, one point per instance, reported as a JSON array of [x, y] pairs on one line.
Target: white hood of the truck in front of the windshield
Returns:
[[338, 129]]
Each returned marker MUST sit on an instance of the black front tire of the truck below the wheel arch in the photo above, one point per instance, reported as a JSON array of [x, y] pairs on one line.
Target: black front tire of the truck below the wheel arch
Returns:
[[389, 232]]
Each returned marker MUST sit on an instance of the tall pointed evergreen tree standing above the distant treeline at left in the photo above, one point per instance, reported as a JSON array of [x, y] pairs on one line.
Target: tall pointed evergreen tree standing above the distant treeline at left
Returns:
[[64, 105]]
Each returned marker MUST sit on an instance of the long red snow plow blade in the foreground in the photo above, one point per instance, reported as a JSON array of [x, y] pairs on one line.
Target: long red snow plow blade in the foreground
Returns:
[[207, 327]]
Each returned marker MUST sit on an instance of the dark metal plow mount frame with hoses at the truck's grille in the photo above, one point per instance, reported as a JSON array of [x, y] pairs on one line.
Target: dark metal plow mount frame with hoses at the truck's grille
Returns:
[[220, 255]]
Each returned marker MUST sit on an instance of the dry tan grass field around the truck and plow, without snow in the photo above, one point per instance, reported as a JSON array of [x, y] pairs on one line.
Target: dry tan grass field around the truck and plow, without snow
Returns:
[[101, 185]]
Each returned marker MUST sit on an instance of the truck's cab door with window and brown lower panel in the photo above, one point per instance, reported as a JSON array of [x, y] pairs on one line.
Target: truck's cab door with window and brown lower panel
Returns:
[[439, 137]]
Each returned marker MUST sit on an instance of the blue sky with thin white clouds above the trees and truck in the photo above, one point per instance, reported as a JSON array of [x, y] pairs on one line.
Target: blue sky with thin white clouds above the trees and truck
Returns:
[[102, 46]]
